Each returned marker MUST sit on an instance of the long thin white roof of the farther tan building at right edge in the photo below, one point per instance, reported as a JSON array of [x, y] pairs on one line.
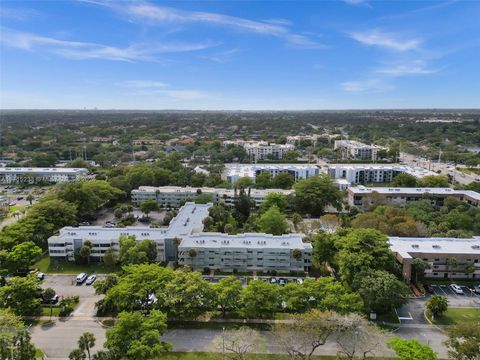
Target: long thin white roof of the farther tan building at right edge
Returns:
[[413, 191]]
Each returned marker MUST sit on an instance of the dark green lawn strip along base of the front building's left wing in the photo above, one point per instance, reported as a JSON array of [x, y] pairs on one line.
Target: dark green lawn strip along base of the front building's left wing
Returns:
[[44, 265]]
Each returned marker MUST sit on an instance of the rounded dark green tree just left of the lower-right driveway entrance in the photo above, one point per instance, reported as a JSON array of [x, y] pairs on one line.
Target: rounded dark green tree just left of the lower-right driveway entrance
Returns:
[[381, 291]]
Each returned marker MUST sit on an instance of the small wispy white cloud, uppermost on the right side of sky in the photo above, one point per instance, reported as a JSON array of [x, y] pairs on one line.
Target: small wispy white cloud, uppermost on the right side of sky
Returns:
[[386, 40]]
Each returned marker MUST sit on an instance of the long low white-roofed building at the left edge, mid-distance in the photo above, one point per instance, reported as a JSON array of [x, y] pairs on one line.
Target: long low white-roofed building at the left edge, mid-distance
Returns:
[[25, 175]]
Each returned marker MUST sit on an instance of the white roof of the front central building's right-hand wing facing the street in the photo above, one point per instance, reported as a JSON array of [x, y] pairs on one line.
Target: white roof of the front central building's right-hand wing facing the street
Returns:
[[250, 240]]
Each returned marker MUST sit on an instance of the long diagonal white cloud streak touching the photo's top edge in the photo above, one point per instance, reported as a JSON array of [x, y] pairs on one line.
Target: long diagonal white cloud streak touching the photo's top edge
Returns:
[[157, 14]]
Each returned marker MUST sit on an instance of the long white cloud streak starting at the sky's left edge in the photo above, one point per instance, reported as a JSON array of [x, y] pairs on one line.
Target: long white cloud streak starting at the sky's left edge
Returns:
[[86, 50]]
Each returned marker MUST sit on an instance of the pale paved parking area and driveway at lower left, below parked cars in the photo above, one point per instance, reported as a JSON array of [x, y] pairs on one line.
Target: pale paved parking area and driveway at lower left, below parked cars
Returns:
[[65, 285]]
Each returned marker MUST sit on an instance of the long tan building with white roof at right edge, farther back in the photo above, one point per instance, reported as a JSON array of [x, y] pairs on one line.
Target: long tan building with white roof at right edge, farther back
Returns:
[[366, 197]]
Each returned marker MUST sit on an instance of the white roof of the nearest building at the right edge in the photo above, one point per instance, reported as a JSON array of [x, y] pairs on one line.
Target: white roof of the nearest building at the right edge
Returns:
[[406, 246]]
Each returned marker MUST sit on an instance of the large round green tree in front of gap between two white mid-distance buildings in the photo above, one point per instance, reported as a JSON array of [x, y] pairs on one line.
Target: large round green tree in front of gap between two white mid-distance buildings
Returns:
[[312, 195]]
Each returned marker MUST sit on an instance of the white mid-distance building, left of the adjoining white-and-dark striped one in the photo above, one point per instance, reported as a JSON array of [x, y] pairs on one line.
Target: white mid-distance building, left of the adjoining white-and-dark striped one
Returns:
[[233, 172]]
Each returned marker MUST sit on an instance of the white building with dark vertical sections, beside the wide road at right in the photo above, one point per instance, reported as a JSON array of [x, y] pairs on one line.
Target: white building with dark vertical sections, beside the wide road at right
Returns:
[[371, 173]]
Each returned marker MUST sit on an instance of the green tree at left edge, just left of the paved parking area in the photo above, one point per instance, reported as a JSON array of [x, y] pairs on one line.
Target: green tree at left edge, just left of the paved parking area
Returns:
[[21, 295]]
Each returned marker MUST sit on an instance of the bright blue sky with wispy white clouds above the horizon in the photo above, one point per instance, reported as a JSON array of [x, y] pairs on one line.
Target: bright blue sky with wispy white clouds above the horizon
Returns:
[[239, 54]]
